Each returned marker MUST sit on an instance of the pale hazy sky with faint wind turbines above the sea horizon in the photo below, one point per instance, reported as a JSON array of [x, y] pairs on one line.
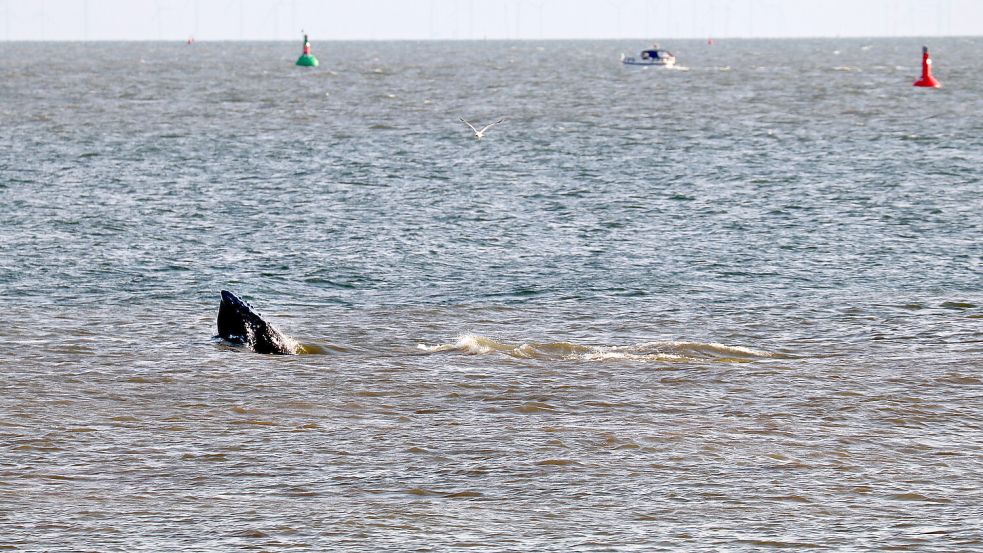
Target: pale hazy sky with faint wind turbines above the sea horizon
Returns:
[[476, 19]]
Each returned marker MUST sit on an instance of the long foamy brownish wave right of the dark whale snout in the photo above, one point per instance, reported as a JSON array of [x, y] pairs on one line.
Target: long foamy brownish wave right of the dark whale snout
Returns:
[[661, 351]]
